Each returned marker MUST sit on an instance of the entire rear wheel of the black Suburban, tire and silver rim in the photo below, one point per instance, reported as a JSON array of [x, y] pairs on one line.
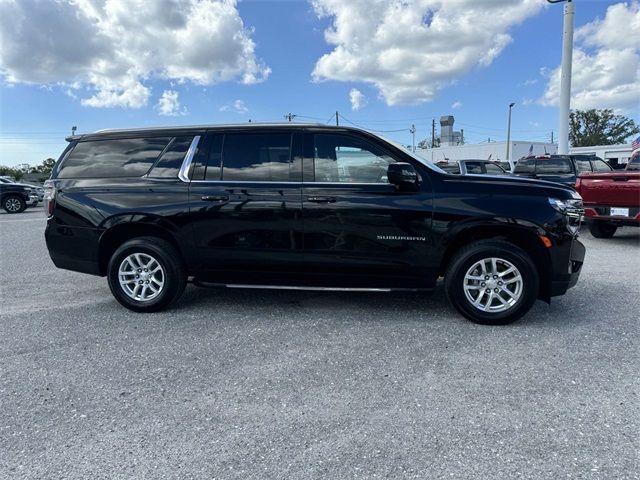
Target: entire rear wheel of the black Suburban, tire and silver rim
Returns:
[[131, 259]]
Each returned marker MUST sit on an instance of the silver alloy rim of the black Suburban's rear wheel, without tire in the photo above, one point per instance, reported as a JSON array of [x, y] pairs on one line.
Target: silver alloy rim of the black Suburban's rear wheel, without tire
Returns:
[[141, 277]]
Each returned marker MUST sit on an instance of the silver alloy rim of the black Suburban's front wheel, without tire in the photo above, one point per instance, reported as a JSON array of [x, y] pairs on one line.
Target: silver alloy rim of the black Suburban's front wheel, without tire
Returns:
[[493, 285]]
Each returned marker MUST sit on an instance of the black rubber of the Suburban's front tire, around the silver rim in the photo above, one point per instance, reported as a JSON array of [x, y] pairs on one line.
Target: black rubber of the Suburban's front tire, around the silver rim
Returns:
[[467, 257]]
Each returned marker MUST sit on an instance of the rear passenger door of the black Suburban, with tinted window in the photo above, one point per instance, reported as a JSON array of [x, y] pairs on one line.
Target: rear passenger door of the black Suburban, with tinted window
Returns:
[[245, 204]]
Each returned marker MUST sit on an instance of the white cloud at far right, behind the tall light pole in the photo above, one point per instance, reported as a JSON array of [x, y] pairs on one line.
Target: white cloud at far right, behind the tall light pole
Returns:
[[606, 63]]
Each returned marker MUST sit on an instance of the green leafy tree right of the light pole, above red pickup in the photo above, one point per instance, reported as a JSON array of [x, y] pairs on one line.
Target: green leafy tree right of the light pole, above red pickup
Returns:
[[599, 127]]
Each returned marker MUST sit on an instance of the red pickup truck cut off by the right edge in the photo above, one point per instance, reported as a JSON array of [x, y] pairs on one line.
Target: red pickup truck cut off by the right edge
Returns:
[[611, 200]]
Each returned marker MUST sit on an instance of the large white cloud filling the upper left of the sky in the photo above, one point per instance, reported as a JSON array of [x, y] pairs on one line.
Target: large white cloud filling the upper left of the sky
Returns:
[[113, 47]]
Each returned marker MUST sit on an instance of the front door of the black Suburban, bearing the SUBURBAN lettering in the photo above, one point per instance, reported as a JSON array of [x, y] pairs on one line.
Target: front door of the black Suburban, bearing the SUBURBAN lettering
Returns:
[[359, 230]]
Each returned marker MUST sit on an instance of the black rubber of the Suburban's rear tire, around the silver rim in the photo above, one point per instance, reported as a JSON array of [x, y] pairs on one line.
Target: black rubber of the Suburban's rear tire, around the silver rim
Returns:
[[165, 254]]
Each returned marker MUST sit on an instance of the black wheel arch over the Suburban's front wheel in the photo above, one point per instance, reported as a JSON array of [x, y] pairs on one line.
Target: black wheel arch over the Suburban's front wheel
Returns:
[[525, 237]]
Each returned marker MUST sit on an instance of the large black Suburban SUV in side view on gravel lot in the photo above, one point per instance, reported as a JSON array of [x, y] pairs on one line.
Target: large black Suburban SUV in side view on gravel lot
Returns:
[[308, 206]]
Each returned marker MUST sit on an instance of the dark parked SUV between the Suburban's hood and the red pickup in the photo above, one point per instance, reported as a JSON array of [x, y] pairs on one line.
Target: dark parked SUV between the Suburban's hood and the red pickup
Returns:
[[562, 169]]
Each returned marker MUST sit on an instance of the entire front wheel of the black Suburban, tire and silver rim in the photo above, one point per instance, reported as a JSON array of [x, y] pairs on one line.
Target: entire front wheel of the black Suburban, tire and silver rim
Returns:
[[501, 298]]
